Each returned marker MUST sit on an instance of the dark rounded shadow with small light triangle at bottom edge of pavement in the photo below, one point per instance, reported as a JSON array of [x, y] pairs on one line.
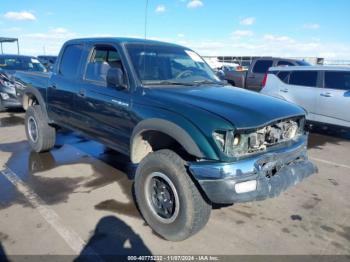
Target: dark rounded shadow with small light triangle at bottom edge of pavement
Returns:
[[112, 240]]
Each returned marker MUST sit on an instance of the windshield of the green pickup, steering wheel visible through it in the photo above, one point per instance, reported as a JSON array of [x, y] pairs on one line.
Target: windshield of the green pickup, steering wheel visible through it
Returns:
[[157, 64]]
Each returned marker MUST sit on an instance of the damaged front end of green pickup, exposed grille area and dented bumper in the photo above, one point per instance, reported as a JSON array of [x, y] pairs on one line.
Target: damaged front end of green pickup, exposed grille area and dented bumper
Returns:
[[268, 160]]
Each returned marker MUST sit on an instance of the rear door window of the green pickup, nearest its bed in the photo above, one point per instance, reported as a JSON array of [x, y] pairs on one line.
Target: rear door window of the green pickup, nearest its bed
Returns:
[[69, 65]]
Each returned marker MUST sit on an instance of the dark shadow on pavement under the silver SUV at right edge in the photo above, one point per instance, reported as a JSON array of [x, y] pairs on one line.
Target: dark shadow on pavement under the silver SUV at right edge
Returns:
[[321, 134]]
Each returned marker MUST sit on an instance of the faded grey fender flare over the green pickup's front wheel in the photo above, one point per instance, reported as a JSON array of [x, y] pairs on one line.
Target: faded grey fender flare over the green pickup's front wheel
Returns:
[[168, 128]]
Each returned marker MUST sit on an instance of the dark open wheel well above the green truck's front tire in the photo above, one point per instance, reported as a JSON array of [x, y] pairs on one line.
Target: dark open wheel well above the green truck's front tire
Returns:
[[151, 141]]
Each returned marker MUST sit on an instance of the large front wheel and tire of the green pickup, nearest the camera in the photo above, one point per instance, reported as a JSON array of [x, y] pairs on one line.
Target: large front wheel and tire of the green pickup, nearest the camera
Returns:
[[193, 211]]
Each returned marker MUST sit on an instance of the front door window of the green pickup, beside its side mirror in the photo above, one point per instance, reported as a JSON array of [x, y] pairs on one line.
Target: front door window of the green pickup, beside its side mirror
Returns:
[[101, 60]]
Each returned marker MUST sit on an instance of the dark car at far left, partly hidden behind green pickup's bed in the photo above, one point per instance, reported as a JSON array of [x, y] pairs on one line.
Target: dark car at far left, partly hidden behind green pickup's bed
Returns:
[[9, 64]]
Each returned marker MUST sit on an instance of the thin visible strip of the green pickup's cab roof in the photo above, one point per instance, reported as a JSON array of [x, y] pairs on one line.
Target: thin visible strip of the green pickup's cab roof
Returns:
[[119, 40]]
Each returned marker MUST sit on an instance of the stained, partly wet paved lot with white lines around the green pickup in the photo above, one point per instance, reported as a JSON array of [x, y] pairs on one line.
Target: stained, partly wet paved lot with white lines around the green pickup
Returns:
[[78, 199]]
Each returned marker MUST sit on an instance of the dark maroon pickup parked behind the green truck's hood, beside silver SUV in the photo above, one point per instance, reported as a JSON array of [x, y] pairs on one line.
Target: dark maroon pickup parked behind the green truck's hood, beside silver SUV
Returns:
[[252, 78]]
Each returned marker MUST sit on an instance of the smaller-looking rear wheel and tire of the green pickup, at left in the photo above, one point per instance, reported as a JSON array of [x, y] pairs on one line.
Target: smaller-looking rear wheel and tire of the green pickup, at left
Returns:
[[45, 136]]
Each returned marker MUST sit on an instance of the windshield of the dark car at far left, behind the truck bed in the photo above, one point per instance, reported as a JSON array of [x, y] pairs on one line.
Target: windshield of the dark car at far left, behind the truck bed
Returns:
[[21, 63]]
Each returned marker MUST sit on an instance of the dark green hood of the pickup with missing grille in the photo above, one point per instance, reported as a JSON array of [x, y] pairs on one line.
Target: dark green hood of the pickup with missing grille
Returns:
[[244, 109]]
